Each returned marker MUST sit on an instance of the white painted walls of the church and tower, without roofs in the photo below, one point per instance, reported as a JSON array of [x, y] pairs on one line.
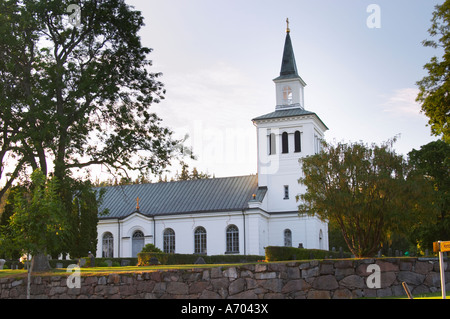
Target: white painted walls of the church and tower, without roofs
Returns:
[[263, 223]]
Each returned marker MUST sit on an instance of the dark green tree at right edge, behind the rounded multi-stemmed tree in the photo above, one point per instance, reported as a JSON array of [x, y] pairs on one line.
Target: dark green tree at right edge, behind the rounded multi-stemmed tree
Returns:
[[433, 162]]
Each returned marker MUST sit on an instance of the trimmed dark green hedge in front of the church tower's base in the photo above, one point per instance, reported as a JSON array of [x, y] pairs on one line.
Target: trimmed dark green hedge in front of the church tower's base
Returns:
[[278, 253]]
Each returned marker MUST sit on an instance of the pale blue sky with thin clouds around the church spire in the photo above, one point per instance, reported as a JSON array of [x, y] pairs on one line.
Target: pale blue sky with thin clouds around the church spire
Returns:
[[219, 58]]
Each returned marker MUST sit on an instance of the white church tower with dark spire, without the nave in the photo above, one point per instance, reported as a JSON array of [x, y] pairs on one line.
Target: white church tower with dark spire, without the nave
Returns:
[[284, 136]]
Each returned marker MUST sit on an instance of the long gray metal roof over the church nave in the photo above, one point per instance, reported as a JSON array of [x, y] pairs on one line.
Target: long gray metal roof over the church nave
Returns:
[[182, 197]]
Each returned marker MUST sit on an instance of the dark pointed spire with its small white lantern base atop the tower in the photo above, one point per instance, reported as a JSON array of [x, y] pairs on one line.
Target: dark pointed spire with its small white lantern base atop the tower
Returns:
[[289, 84]]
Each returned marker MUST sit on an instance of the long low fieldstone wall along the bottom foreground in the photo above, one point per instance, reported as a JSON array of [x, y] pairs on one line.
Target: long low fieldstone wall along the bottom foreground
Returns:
[[301, 280]]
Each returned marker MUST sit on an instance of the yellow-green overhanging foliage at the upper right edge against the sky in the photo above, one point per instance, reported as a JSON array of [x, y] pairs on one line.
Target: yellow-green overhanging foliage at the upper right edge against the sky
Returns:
[[434, 88]]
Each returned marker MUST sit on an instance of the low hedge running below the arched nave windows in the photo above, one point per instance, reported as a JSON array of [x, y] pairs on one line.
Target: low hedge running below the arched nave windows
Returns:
[[180, 259]]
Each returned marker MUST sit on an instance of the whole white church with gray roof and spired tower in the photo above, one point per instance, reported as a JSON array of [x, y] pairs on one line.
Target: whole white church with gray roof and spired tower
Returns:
[[232, 215]]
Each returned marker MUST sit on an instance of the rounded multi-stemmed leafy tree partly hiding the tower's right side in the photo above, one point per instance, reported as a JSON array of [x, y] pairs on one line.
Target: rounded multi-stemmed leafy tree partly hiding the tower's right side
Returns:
[[365, 191]]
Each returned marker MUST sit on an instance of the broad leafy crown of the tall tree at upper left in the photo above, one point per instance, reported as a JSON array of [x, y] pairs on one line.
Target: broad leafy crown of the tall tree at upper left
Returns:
[[78, 92]]
